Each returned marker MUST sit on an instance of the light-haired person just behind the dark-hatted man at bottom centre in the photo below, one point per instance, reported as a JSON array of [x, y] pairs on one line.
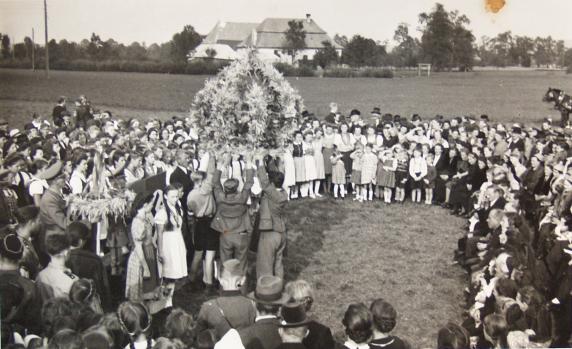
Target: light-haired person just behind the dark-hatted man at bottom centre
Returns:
[[319, 336]]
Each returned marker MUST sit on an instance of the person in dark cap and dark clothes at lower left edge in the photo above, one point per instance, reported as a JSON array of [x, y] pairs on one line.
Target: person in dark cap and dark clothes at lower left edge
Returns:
[[27, 300]]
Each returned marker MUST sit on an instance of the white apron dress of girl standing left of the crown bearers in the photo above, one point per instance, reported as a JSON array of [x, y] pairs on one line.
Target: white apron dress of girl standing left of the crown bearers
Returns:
[[173, 251]]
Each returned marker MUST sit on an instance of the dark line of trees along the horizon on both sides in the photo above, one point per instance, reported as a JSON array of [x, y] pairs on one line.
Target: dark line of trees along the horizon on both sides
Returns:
[[445, 42]]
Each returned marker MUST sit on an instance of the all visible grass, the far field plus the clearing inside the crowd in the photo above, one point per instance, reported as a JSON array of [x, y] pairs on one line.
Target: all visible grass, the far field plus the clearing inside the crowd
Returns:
[[350, 252]]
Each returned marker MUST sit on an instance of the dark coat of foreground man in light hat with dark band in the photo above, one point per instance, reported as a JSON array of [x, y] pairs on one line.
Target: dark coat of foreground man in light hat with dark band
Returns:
[[263, 334]]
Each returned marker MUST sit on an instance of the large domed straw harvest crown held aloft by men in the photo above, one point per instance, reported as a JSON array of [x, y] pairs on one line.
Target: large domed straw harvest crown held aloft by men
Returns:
[[247, 105]]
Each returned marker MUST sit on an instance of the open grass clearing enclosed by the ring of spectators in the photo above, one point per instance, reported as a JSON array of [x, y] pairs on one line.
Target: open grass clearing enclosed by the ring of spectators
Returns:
[[353, 252]]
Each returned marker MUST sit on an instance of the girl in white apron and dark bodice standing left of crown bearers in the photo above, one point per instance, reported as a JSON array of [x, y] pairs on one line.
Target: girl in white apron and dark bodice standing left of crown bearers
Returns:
[[170, 242]]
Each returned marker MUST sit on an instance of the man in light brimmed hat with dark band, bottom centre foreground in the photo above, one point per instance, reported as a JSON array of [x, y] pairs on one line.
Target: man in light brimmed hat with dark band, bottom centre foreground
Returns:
[[263, 334]]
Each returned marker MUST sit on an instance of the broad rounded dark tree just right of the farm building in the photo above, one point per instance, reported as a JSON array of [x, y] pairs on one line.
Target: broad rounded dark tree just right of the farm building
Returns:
[[362, 52]]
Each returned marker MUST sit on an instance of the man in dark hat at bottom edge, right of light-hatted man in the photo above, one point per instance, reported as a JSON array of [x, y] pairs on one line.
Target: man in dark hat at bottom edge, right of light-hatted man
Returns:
[[294, 326]]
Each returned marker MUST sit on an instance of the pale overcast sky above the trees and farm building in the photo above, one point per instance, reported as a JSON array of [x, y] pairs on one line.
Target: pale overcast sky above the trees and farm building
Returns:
[[155, 21]]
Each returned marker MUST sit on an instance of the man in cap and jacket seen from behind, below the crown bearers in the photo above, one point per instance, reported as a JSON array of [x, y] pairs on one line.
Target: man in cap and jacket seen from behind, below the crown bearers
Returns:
[[231, 309]]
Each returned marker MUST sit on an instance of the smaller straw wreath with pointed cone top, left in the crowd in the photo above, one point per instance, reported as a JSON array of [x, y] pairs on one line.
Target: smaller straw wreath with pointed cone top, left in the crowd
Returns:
[[99, 200]]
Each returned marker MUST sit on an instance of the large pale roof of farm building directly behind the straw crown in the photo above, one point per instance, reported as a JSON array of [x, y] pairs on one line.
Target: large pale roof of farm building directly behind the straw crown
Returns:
[[271, 34]]
